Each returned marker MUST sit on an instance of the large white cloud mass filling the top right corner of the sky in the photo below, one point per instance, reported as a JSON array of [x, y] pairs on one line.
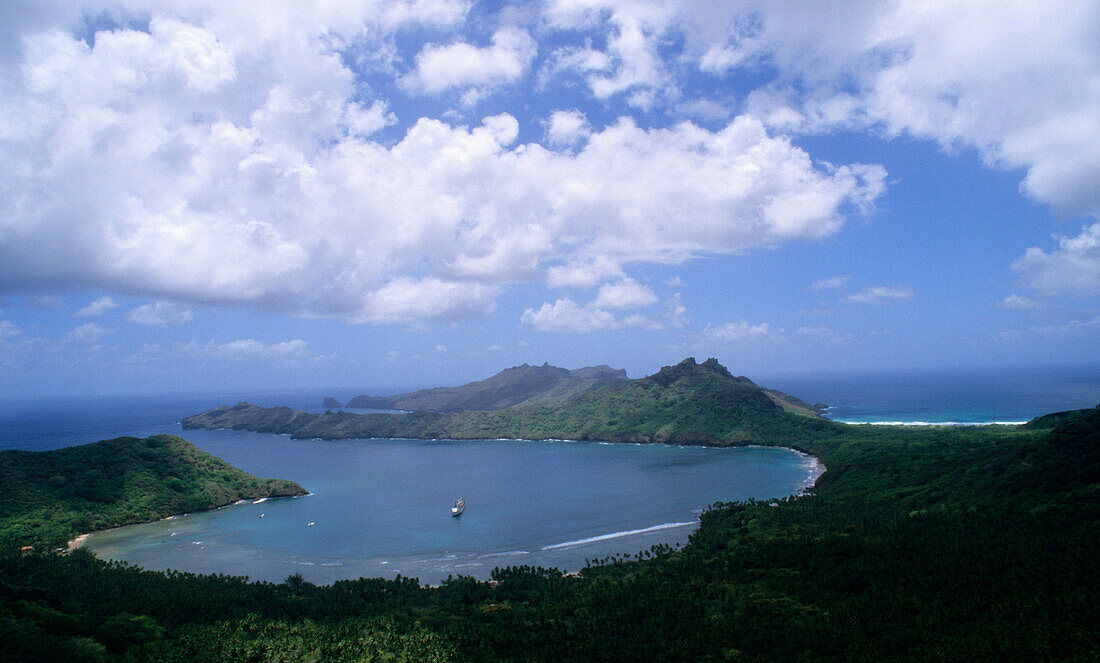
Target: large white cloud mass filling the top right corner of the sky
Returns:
[[1016, 82]]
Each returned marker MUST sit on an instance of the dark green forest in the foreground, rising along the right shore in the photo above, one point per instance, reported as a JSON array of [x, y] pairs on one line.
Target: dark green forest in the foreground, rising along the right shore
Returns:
[[918, 545]]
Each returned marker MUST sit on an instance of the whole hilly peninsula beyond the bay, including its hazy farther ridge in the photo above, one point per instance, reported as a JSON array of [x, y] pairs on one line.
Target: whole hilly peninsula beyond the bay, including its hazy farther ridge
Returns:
[[687, 404]]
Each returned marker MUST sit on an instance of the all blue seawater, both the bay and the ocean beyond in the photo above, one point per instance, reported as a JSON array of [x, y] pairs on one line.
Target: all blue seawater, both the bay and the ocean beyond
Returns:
[[382, 507]]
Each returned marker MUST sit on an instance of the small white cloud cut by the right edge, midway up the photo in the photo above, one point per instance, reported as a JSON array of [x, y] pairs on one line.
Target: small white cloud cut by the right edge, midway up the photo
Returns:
[[1074, 269]]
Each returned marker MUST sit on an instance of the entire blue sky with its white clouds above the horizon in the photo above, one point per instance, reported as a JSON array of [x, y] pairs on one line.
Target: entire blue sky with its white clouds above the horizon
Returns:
[[230, 196]]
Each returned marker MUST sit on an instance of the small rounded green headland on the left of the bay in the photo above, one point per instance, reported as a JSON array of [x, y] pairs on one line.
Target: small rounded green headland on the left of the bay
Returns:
[[50, 498]]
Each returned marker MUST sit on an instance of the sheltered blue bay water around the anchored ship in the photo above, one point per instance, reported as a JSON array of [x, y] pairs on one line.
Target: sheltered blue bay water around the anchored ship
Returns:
[[382, 507]]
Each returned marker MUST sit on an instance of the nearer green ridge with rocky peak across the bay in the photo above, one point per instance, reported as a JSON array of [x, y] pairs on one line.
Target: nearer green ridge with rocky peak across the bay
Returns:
[[687, 404]]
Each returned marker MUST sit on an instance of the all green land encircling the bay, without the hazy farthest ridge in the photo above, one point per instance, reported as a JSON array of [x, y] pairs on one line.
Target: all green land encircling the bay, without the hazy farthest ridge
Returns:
[[917, 545]]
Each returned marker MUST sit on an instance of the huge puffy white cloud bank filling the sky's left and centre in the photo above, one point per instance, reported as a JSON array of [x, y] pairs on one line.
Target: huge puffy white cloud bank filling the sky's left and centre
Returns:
[[230, 161]]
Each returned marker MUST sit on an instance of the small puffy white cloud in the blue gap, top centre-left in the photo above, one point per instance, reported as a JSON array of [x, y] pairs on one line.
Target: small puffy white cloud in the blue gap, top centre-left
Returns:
[[439, 69]]
